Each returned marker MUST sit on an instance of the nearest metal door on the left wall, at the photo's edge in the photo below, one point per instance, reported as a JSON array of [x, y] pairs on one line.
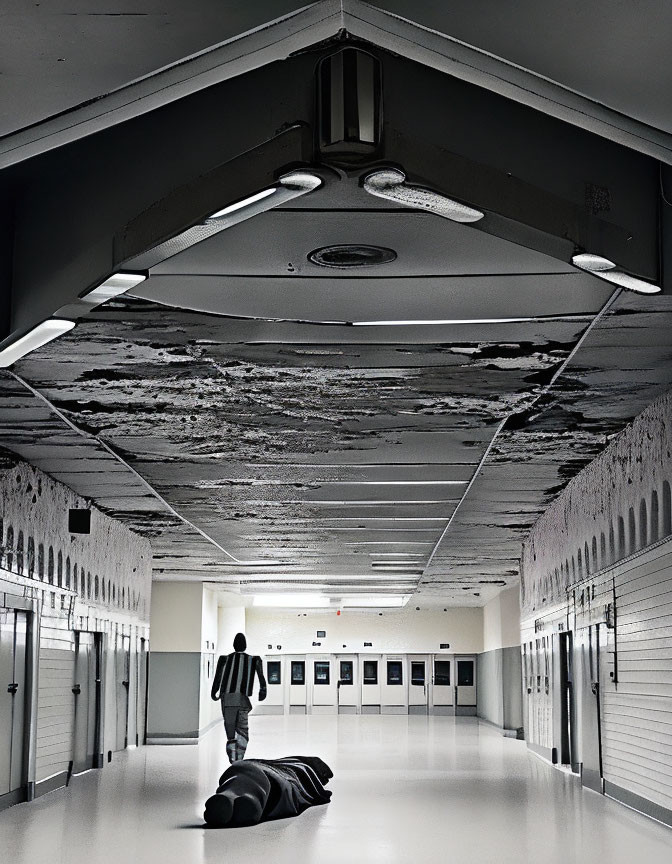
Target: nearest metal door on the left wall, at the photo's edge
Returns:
[[13, 696]]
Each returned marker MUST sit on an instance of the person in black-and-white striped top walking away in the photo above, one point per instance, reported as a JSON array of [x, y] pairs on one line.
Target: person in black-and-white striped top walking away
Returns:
[[233, 685]]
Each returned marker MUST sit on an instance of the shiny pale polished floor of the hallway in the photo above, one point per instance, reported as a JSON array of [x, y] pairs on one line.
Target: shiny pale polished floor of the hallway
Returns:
[[405, 790]]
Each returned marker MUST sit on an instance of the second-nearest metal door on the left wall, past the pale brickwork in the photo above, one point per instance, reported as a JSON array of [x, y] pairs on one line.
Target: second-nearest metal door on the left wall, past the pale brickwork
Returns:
[[87, 692]]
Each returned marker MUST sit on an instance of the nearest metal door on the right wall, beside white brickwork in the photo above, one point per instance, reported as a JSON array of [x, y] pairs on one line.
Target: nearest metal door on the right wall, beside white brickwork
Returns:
[[587, 654]]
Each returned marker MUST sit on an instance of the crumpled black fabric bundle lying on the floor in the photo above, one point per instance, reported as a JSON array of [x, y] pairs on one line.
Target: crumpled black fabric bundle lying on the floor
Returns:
[[260, 790]]
